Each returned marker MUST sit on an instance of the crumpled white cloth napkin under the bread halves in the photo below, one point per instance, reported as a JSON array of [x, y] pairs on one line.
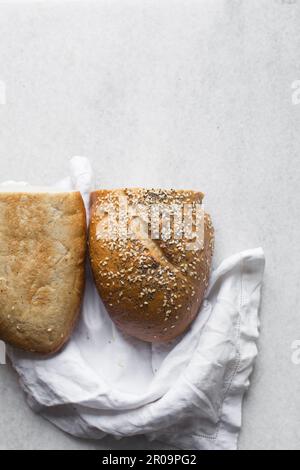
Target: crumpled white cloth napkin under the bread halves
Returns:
[[187, 393]]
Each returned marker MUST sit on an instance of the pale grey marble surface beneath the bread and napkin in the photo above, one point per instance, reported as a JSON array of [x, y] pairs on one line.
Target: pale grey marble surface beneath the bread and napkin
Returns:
[[170, 93]]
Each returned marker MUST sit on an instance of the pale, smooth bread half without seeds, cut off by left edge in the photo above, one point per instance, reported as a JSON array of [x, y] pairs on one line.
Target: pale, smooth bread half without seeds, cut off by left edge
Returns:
[[42, 253]]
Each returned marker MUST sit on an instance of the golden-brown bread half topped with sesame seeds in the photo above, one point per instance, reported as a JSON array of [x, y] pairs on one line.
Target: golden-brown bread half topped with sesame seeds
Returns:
[[152, 289]]
